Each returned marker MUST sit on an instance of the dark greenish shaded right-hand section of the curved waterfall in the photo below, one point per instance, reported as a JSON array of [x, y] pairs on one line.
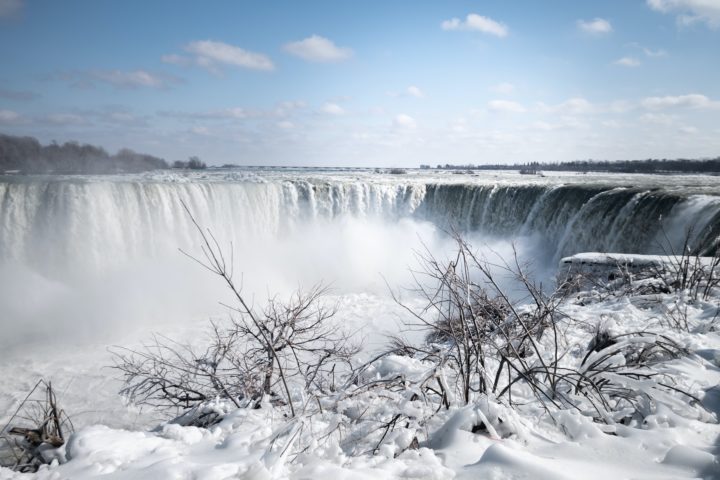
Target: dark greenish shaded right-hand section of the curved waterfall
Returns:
[[579, 218]]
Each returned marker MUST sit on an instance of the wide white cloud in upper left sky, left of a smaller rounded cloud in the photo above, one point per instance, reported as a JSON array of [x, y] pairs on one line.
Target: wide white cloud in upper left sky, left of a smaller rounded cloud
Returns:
[[213, 55]]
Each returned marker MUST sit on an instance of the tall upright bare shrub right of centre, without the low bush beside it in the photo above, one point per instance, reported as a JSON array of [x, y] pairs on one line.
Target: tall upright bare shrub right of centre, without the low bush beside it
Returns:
[[480, 332]]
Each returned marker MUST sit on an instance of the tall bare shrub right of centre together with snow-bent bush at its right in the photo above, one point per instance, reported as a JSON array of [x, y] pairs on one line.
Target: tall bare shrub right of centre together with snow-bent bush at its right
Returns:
[[487, 344]]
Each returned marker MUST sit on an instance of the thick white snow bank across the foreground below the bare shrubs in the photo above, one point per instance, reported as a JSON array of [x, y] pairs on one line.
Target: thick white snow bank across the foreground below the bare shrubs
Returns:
[[675, 438]]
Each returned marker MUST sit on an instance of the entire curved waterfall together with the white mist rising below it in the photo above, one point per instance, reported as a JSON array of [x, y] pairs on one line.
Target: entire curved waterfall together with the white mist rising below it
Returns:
[[96, 256]]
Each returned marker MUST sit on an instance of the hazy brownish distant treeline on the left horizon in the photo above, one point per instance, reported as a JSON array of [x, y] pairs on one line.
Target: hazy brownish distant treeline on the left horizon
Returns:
[[27, 155]]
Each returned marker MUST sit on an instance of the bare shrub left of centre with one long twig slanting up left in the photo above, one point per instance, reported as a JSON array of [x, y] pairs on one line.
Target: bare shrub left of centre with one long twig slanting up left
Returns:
[[293, 344]]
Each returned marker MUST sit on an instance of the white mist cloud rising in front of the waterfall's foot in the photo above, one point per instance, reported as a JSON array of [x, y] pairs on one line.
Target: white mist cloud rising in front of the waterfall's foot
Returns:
[[86, 304]]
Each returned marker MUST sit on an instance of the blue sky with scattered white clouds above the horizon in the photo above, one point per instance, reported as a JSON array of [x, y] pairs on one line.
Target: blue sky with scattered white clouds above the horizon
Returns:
[[375, 83]]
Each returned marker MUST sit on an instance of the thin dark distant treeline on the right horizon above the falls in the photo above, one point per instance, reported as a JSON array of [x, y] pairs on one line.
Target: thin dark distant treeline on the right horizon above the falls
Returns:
[[651, 165]]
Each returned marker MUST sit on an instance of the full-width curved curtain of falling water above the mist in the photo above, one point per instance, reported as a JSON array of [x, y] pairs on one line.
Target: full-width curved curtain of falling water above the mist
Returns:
[[52, 224]]
